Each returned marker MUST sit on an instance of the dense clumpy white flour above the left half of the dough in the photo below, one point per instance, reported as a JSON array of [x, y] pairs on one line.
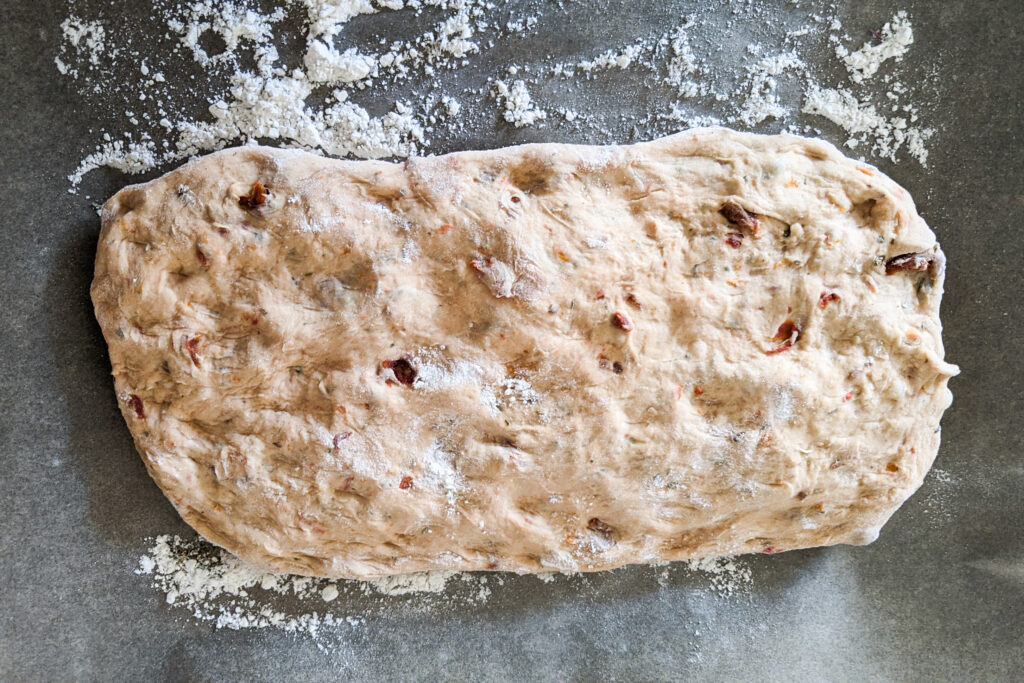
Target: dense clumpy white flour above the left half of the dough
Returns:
[[268, 102]]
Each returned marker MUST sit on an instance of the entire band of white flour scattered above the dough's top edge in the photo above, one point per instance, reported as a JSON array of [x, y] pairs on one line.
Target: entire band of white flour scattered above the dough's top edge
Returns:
[[252, 94]]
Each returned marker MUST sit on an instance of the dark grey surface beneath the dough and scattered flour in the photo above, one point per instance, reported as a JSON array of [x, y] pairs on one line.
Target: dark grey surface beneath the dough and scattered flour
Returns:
[[941, 596]]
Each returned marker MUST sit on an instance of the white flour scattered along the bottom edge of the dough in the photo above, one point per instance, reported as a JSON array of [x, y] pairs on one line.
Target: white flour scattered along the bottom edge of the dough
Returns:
[[218, 588]]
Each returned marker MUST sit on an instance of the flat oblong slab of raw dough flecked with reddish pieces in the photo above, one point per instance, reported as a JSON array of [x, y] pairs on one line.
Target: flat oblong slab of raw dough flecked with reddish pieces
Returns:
[[541, 358]]
